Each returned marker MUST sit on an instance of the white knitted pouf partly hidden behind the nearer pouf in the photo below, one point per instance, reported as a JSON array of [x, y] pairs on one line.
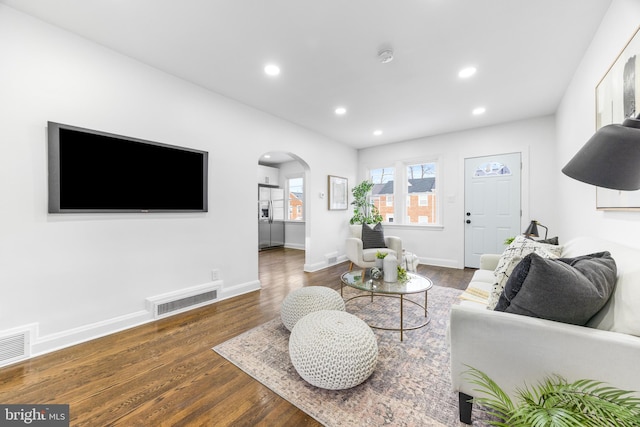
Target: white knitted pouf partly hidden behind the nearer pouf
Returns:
[[305, 300]]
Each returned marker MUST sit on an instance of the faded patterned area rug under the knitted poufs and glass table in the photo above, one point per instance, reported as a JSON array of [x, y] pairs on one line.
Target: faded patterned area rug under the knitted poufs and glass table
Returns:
[[410, 386]]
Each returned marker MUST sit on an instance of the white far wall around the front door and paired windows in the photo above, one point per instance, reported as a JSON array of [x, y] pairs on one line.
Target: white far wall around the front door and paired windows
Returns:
[[534, 138]]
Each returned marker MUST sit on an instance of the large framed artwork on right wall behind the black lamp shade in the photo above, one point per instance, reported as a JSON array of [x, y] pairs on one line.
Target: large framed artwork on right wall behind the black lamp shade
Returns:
[[618, 98]]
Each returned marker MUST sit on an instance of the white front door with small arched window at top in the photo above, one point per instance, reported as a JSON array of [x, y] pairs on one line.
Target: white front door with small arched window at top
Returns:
[[492, 204]]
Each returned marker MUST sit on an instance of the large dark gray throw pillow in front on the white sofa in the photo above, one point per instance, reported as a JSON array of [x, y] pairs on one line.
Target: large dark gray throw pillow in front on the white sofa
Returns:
[[569, 290]]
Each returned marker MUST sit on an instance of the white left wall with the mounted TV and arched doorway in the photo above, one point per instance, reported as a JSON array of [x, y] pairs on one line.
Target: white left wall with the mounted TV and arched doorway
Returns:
[[77, 276]]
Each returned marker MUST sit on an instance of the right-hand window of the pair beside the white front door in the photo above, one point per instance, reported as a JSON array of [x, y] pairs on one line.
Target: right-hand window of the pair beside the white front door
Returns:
[[421, 184]]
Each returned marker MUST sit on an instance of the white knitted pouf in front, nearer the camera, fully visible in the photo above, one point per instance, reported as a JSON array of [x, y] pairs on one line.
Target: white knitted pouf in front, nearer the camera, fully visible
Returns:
[[333, 349]]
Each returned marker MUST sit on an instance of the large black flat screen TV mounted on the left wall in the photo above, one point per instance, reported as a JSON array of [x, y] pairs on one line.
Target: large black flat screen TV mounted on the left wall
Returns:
[[95, 172]]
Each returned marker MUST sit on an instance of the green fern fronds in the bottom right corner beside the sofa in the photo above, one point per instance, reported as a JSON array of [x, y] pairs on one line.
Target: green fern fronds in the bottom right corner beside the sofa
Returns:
[[554, 402]]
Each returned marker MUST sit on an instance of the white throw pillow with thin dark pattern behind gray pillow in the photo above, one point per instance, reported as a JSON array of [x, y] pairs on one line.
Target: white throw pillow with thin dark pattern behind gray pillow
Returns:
[[518, 249]]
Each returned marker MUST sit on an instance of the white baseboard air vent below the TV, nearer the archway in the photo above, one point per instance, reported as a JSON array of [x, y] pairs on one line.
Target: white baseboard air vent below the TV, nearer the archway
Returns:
[[168, 304]]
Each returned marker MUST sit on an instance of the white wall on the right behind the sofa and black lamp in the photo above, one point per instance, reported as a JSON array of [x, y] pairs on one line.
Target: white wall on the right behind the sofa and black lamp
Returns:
[[576, 124]]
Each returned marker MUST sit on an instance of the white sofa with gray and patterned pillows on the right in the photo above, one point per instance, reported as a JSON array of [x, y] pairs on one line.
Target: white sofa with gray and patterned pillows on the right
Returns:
[[517, 350]]
